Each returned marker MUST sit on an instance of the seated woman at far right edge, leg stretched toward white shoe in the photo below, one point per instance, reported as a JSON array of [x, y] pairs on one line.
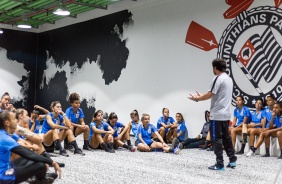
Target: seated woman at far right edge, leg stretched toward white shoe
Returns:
[[272, 127]]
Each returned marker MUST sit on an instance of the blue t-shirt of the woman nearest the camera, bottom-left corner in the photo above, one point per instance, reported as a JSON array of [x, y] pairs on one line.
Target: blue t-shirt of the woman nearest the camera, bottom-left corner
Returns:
[[7, 144]]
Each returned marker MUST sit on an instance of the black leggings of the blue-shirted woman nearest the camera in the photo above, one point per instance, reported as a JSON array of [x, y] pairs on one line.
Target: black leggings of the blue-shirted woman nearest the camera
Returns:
[[25, 169]]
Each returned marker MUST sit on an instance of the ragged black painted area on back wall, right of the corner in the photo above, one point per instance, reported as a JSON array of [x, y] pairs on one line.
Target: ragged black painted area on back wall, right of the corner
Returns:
[[98, 41]]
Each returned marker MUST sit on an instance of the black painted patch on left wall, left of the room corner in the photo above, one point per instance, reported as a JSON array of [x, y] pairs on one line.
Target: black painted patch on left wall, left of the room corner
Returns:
[[22, 47]]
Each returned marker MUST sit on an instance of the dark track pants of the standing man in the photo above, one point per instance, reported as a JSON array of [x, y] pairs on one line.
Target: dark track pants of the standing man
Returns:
[[220, 136]]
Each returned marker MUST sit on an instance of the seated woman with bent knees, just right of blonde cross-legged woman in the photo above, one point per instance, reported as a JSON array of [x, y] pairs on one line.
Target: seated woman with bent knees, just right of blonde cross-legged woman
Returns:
[[165, 125]]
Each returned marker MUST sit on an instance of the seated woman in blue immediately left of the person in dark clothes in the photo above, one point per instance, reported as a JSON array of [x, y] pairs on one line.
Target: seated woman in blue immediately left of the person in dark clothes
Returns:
[[179, 132]]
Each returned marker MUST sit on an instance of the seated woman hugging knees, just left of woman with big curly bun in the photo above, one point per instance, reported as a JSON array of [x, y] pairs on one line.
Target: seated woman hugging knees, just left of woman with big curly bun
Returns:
[[56, 127]]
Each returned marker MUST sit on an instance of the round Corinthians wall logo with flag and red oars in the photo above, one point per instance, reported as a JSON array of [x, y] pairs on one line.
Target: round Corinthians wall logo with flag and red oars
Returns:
[[251, 46]]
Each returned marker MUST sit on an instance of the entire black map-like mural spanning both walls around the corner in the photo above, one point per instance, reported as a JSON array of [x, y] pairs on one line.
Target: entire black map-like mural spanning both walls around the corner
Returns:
[[98, 41]]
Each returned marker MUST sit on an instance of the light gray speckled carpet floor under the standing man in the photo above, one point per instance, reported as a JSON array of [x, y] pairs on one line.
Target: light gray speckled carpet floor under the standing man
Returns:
[[190, 166]]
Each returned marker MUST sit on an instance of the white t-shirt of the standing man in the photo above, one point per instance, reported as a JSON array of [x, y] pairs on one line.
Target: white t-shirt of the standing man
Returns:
[[222, 88]]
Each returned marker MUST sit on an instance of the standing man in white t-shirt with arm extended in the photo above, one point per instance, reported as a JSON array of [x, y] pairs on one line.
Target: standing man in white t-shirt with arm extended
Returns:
[[221, 96]]
